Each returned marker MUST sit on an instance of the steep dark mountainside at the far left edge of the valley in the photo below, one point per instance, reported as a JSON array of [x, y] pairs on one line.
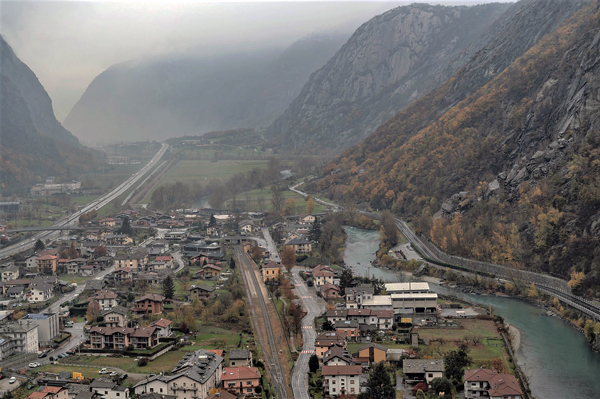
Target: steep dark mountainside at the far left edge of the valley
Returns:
[[33, 143]]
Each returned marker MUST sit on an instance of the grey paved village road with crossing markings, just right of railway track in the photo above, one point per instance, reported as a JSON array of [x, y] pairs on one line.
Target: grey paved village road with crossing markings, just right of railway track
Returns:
[[300, 371]]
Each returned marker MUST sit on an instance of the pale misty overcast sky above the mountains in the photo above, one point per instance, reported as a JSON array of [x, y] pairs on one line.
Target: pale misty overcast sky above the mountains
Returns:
[[67, 44]]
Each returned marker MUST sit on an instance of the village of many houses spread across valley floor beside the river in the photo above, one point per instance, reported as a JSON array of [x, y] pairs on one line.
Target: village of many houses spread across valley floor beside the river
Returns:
[[153, 305]]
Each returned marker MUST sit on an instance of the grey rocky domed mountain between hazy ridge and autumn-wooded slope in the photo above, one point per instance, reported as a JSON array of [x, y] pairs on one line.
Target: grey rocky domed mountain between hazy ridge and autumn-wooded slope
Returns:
[[389, 62]]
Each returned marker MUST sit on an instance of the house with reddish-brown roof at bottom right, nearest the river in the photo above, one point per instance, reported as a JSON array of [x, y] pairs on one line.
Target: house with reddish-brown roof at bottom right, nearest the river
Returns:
[[484, 383]]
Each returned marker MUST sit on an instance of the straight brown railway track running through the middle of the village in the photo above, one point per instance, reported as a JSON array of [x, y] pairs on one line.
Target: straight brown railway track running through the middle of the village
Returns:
[[270, 352]]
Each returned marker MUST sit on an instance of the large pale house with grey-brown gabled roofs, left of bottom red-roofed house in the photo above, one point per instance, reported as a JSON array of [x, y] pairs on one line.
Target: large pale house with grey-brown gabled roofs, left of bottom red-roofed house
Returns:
[[193, 377]]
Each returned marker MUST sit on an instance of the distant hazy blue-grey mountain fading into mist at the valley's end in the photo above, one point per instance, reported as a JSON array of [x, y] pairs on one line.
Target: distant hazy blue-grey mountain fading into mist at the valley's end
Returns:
[[187, 95]]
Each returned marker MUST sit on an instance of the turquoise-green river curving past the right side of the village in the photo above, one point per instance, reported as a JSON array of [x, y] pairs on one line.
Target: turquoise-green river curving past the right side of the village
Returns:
[[556, 358]]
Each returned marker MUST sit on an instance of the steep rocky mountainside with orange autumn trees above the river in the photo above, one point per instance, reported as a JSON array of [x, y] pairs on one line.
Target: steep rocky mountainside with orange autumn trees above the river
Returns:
[[510, 172]]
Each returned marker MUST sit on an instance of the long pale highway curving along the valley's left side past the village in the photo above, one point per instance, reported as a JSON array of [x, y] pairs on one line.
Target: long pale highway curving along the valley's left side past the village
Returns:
[[73, 219]]
